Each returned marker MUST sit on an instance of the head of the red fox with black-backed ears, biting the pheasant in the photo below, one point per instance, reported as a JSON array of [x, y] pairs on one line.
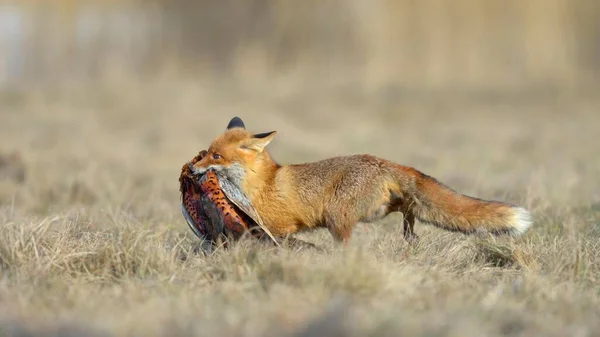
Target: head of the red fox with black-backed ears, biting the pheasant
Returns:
[[236, 152]]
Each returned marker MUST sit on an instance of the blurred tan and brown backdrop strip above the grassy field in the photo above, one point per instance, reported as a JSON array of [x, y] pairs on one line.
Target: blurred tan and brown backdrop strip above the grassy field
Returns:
[[364, 45]]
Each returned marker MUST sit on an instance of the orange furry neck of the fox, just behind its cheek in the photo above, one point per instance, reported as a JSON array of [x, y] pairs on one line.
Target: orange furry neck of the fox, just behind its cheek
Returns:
[[260, 176]]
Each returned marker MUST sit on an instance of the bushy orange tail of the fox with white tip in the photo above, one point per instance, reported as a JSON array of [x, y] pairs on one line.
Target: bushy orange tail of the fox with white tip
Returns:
[[439, 205]]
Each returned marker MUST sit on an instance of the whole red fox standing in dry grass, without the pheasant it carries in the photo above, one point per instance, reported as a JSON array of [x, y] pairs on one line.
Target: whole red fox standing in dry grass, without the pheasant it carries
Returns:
[[339, 192]]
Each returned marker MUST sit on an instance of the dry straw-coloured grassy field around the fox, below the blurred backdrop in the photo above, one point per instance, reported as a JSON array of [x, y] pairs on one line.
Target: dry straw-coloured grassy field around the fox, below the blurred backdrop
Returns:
[[93, 242]]
